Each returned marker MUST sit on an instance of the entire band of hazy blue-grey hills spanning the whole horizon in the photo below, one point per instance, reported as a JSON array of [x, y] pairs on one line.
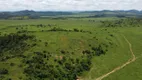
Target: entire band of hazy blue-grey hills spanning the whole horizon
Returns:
[[36, 14]]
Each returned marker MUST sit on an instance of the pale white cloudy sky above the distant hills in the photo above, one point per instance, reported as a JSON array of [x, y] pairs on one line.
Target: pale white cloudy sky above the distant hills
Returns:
[[69, 5]]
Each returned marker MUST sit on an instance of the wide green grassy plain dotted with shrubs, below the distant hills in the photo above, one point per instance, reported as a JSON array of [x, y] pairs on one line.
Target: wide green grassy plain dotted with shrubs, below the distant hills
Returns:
[[65, 41]]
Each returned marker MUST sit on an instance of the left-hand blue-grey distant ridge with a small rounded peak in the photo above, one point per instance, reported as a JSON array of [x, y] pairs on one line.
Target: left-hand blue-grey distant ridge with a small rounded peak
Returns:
[[31, 14]]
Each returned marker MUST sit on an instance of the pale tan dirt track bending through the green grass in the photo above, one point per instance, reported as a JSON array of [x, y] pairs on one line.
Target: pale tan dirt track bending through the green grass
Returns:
[[122, 66]]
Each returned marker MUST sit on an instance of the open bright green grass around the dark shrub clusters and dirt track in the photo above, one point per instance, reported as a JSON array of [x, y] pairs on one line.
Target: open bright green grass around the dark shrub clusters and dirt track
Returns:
[[117, 54]]
